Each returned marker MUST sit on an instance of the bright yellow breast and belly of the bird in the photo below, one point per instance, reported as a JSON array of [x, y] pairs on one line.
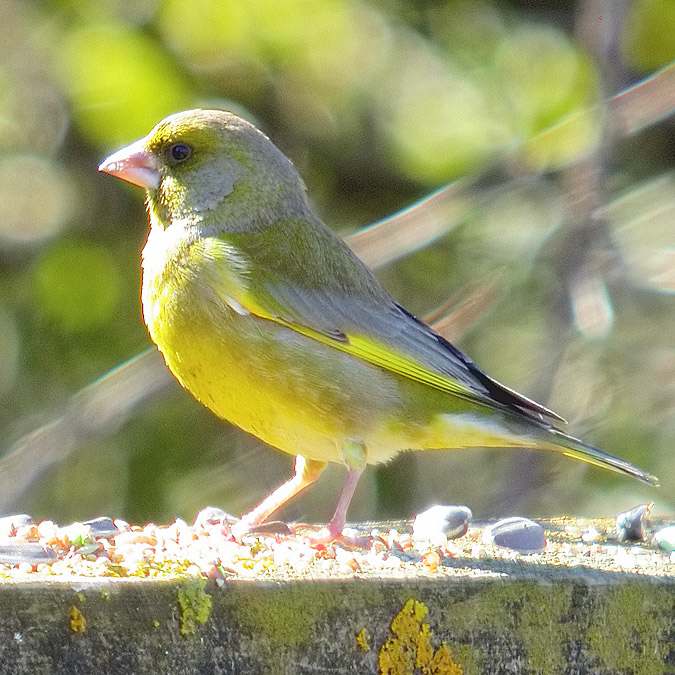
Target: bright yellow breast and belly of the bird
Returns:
[[296, 393]]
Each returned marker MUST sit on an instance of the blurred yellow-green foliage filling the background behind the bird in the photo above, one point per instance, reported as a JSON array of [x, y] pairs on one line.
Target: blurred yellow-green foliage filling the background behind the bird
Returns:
[[378, 103]]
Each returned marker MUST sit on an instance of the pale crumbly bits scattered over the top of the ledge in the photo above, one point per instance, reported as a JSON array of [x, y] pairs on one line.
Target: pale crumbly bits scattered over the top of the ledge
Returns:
[[111, 548]]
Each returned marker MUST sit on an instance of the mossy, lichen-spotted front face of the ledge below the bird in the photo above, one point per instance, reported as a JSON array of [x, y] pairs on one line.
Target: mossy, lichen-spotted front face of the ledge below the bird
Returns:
[[510, 621]]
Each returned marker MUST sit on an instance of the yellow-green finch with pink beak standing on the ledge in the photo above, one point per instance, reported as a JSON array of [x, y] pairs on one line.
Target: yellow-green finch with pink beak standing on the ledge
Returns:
[[269, 319]]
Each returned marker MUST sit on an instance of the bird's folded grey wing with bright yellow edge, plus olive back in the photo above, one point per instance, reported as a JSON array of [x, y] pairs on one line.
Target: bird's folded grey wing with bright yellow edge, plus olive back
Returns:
[[338, 302]]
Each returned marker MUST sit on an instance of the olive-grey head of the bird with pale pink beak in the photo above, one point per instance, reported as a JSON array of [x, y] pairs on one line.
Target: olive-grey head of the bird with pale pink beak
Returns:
[[205, 164]]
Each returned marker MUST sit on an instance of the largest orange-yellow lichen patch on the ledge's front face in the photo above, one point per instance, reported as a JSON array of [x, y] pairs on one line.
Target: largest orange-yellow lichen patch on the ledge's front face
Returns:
[[411, 648]]
